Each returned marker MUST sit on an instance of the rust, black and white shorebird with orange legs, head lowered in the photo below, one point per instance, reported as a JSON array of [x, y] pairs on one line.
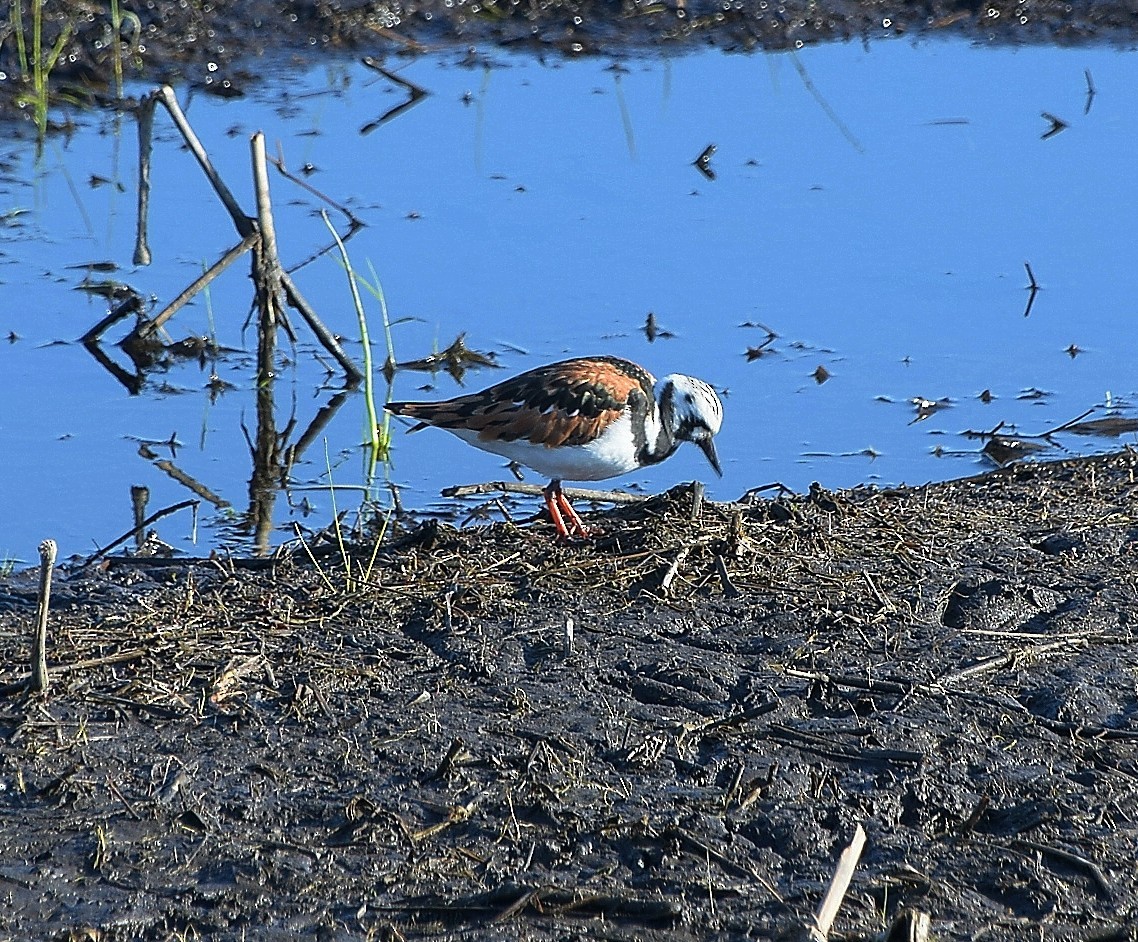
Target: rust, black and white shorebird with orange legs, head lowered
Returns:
[[584, 419]]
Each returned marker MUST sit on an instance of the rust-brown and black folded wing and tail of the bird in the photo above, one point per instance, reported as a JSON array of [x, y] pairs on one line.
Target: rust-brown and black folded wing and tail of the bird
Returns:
[[567, 403]]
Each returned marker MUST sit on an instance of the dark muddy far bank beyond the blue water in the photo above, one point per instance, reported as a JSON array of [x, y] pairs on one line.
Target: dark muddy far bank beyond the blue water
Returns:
[[224, 48]]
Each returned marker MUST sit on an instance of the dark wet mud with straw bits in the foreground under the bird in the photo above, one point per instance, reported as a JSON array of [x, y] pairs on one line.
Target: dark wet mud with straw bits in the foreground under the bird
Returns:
[[418, 746]]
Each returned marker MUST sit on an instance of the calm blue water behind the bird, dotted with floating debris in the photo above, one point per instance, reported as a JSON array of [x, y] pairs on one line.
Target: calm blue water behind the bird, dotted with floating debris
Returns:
[[875, 206]]
